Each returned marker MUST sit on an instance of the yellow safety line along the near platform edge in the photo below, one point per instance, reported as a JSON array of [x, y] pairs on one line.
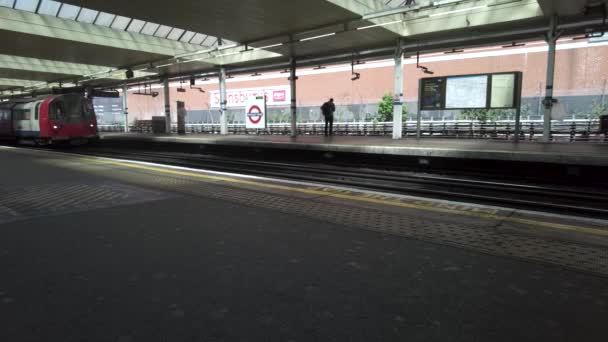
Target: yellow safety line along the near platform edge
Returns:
[[395, 203]]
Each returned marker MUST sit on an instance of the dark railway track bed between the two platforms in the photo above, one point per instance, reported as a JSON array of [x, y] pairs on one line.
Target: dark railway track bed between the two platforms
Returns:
[[586, 201]]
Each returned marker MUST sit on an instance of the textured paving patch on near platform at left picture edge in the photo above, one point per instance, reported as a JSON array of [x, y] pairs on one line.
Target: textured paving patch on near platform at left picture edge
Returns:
[[60, 198]]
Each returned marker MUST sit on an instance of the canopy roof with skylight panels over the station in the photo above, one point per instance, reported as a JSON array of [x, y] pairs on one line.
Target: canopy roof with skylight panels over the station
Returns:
[[95, 41]]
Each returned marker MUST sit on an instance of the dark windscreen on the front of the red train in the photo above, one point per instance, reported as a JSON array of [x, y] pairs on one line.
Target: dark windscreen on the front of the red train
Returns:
[[71, 108]]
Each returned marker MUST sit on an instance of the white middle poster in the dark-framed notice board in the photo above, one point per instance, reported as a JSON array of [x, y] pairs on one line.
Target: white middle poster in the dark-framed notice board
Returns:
[[466, 92]]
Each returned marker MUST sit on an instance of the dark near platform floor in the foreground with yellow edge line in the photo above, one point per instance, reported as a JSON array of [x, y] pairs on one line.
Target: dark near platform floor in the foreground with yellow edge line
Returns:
[[99, 250]]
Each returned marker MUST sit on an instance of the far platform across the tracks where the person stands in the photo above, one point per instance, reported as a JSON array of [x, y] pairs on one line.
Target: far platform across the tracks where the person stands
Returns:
[[474, 149]]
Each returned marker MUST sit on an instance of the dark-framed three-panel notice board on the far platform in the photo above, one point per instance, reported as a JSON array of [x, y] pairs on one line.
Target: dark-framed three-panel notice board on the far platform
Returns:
[[485, 91]]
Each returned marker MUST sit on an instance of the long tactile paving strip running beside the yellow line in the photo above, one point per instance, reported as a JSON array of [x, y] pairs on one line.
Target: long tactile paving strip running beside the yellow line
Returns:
[[472, 236]]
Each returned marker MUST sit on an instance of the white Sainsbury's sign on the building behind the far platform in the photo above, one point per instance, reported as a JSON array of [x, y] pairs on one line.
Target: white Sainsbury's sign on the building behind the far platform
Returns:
[[237, 98]]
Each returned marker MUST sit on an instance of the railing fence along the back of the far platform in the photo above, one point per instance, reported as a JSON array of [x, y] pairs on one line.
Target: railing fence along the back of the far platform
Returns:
[[567, 130]]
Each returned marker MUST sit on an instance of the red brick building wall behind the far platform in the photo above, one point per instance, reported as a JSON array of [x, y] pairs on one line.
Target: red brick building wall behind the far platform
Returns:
[[581, 81]]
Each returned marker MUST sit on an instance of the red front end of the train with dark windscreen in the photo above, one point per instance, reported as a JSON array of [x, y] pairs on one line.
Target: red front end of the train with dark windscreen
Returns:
[[70, 118]]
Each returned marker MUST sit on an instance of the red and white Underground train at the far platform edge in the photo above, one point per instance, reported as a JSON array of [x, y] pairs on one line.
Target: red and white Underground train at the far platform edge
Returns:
[[49, 119]]
